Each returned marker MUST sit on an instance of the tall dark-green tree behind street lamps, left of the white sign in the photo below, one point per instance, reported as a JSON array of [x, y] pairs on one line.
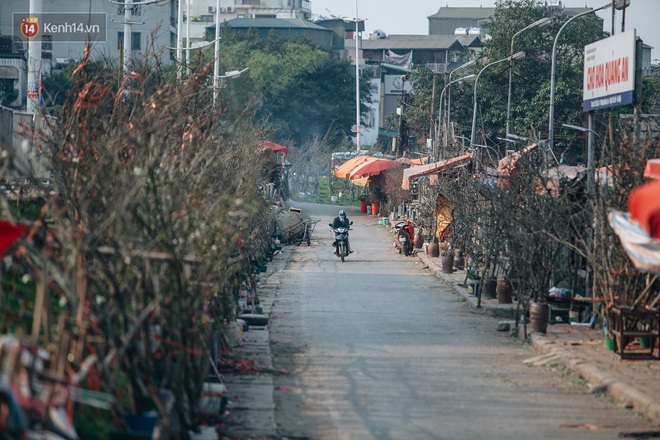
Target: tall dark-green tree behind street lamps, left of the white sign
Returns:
[[530, 95]]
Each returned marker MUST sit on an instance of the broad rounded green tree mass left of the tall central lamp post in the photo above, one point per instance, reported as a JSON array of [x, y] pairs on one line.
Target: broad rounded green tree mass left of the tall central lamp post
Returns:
[[298, 87]]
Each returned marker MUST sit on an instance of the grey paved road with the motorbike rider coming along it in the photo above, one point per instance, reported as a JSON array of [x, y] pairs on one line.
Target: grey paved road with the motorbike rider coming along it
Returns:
[[379, 349]]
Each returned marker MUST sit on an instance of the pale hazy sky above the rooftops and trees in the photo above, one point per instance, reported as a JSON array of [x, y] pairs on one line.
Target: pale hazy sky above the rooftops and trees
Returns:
[[411, 17]]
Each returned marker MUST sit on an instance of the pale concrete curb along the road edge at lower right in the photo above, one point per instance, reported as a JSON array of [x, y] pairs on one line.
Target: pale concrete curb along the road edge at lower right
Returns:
[[622, 392]]
